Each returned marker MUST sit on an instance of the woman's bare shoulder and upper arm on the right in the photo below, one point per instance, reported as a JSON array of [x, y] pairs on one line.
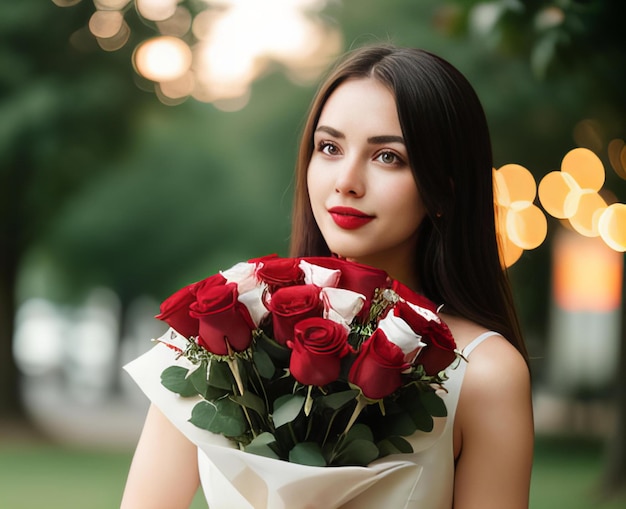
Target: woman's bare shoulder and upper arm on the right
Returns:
[[496, 426]]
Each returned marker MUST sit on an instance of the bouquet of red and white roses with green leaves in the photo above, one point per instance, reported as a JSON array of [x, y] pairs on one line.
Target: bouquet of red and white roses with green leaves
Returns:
[[317, 360]]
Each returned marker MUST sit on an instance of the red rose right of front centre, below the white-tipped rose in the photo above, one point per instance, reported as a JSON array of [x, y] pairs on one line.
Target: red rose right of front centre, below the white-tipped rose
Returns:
[[378, 367]]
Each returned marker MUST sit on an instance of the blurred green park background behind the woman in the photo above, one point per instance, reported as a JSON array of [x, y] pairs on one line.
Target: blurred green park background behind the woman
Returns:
[[113, 195]]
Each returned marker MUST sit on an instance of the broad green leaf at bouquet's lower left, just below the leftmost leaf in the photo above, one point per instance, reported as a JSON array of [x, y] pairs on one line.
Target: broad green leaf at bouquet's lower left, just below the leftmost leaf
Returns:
[[222, 416]]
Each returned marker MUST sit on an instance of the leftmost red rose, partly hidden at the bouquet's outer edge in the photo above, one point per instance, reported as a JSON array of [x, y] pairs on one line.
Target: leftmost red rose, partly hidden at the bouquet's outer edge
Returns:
[[175, 309]]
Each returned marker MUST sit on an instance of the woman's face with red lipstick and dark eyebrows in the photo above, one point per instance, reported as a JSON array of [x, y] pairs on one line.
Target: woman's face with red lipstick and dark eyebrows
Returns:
[[362, 190]]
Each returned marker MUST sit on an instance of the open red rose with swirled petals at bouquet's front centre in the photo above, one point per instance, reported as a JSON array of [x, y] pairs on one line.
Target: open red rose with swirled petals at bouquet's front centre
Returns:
[[318, 347]]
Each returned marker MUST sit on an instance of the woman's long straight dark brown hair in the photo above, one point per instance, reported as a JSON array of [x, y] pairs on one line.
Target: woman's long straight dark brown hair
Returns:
[[449, 150]]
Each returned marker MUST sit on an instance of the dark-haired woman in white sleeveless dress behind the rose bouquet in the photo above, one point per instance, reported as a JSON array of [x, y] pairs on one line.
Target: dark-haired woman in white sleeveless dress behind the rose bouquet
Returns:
[[395, 171]]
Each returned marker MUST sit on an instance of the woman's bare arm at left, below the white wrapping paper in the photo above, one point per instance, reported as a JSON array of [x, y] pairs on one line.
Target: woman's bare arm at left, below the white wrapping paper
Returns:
[[164, 470]]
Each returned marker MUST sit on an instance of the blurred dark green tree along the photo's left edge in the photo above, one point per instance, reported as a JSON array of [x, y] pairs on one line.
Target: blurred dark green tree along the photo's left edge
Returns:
[[55, 126]]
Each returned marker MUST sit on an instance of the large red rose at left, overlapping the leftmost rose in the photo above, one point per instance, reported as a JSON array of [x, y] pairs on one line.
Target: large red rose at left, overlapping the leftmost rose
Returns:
[[222, 318]]
